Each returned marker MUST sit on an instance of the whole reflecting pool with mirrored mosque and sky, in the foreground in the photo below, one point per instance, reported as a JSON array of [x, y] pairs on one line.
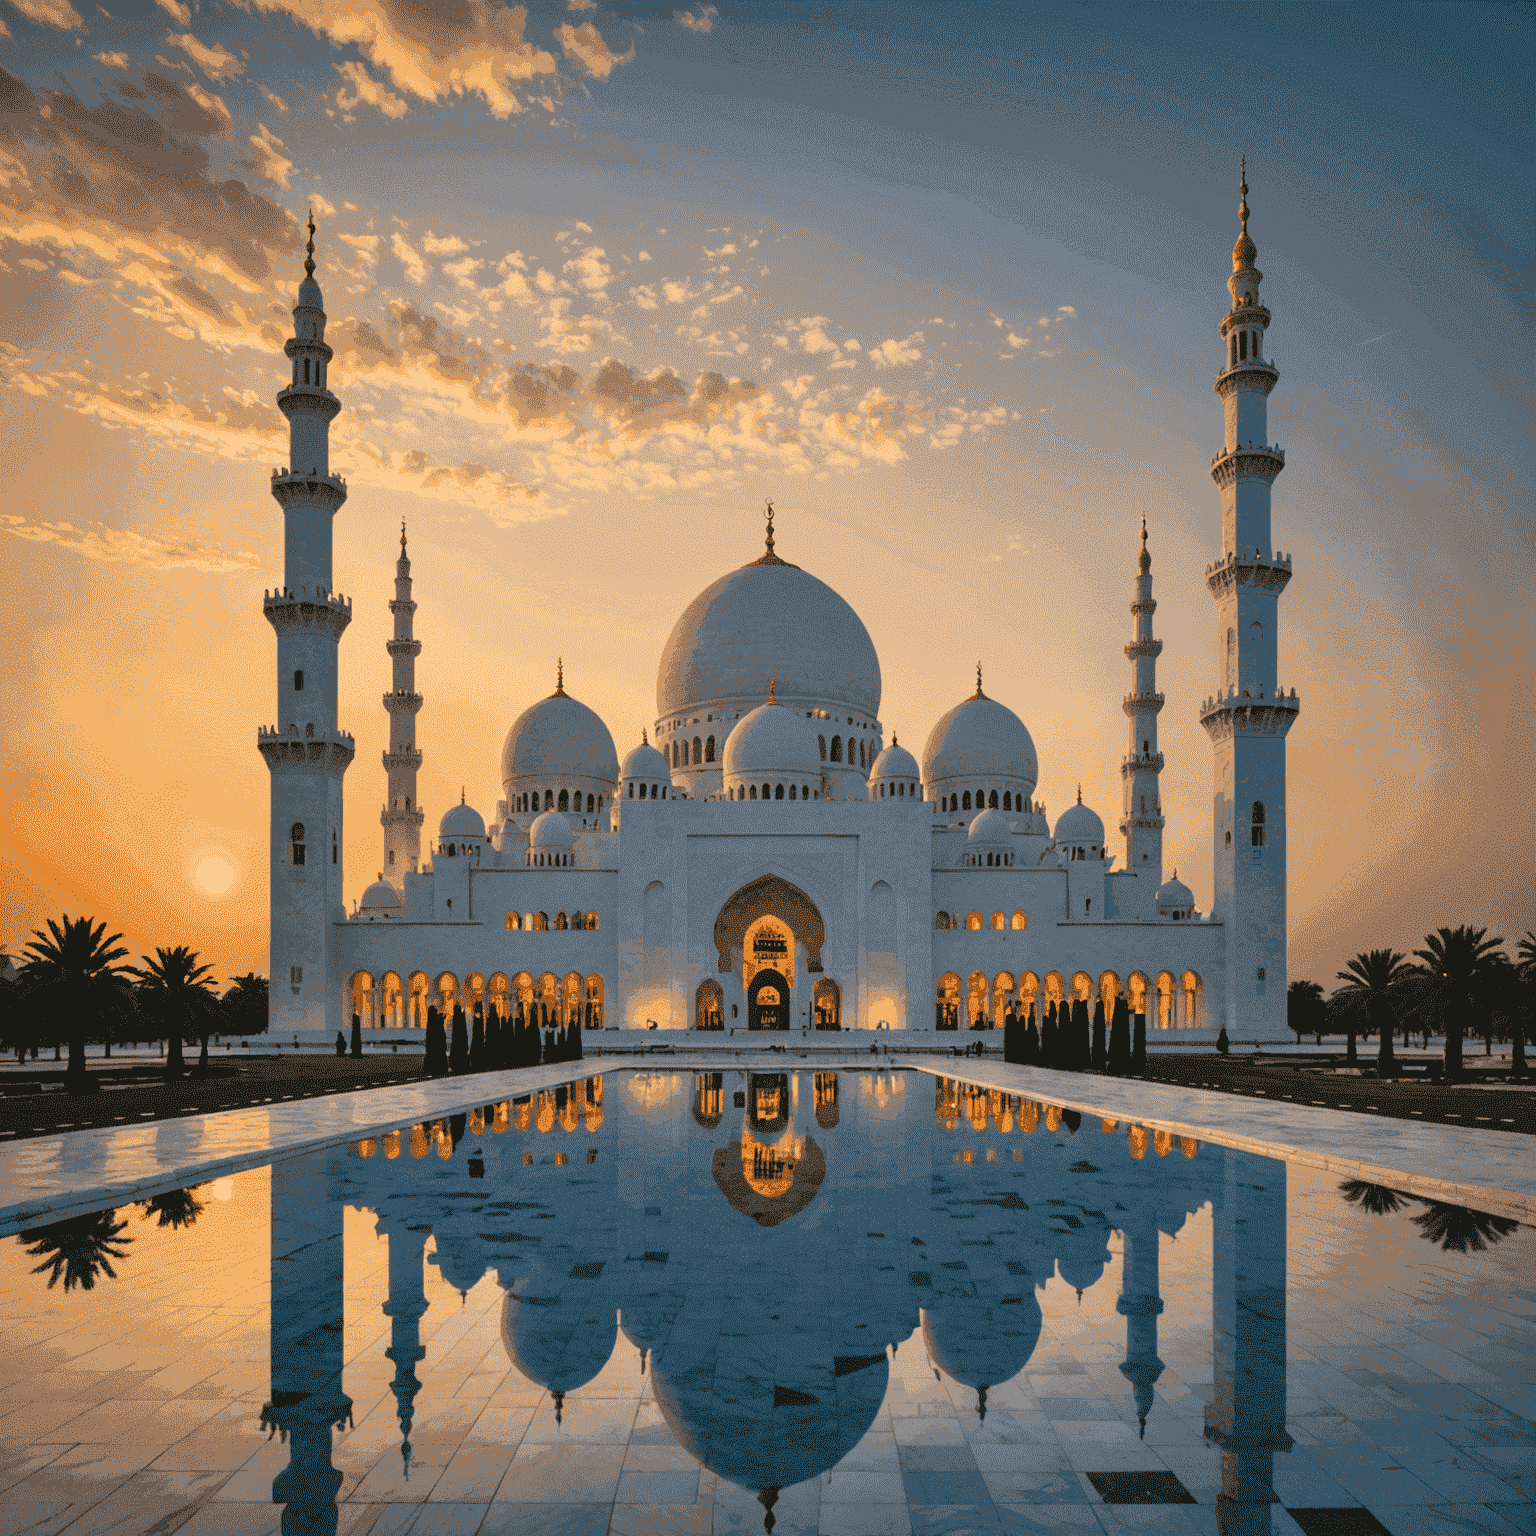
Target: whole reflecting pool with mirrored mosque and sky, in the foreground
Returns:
[[787, 1302]]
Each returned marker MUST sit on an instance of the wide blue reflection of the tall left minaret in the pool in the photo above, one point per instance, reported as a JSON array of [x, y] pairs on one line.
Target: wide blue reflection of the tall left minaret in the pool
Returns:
[[308, 1299]]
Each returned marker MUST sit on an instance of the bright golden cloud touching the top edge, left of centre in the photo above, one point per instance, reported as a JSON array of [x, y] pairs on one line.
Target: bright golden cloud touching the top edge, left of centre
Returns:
[[435, 51]]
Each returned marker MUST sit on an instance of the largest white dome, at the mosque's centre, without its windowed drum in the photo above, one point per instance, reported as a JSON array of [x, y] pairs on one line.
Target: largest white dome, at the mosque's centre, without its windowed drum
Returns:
[[769, 620]]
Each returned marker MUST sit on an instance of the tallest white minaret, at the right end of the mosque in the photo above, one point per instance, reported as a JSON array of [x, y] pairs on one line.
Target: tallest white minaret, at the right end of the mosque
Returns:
[[1250, 718]]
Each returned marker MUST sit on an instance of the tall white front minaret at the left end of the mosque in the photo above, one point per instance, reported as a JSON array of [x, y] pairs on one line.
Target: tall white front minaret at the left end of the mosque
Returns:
[[306, 753]]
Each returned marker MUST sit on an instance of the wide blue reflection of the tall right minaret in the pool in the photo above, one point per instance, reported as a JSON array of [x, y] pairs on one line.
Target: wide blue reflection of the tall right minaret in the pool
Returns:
[[1248, 1308]]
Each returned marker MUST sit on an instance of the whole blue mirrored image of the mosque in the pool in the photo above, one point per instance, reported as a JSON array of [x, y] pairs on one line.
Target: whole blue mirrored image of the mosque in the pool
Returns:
[[766, 1309]]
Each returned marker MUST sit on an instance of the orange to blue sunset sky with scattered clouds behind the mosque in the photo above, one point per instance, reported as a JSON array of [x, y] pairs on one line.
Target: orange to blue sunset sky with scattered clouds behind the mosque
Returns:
[[942, 280]]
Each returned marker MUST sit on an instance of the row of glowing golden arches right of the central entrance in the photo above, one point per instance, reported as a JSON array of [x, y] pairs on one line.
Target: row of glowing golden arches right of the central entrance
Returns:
[[982, 1002]]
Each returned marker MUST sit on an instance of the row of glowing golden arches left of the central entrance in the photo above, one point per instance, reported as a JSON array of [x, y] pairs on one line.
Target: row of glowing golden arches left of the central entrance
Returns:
[[391, 1002]]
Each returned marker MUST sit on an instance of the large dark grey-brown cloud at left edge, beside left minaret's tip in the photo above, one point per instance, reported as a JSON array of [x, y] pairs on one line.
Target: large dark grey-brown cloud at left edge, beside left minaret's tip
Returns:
[[119, 184]]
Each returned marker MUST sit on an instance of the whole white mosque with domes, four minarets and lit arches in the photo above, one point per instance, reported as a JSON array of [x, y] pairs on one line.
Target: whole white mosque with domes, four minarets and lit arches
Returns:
[[769, 859]]
